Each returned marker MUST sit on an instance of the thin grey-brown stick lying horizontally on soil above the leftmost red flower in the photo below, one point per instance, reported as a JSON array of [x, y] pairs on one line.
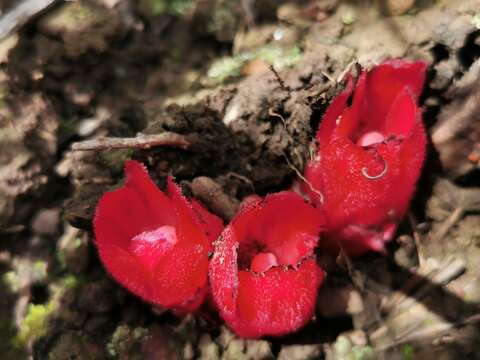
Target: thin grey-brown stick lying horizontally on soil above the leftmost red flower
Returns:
[[138, 142]]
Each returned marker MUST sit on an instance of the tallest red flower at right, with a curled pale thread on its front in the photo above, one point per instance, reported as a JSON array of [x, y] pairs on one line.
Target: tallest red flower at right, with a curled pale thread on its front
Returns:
[[370, 156]]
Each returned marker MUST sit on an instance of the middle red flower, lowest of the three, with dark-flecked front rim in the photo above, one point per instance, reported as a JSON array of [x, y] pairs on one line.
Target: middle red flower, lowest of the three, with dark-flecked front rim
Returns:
[[263, 278]]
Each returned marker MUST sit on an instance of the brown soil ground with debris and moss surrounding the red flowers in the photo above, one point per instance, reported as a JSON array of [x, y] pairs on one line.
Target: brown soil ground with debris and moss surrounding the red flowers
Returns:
[[244, 84]]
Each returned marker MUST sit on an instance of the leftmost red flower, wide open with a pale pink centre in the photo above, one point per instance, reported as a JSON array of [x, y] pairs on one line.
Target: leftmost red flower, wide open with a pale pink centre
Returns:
[[155, 245]]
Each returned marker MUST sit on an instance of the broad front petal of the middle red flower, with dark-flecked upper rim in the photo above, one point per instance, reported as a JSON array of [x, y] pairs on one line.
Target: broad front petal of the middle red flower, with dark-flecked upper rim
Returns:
[[277, 302]]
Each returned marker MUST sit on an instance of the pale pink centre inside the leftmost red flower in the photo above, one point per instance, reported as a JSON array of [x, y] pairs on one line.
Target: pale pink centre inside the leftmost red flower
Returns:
[[149, 246]]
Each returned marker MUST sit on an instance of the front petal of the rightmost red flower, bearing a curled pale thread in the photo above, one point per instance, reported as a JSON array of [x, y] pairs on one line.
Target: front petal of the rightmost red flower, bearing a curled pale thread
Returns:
[[351, 198]]
